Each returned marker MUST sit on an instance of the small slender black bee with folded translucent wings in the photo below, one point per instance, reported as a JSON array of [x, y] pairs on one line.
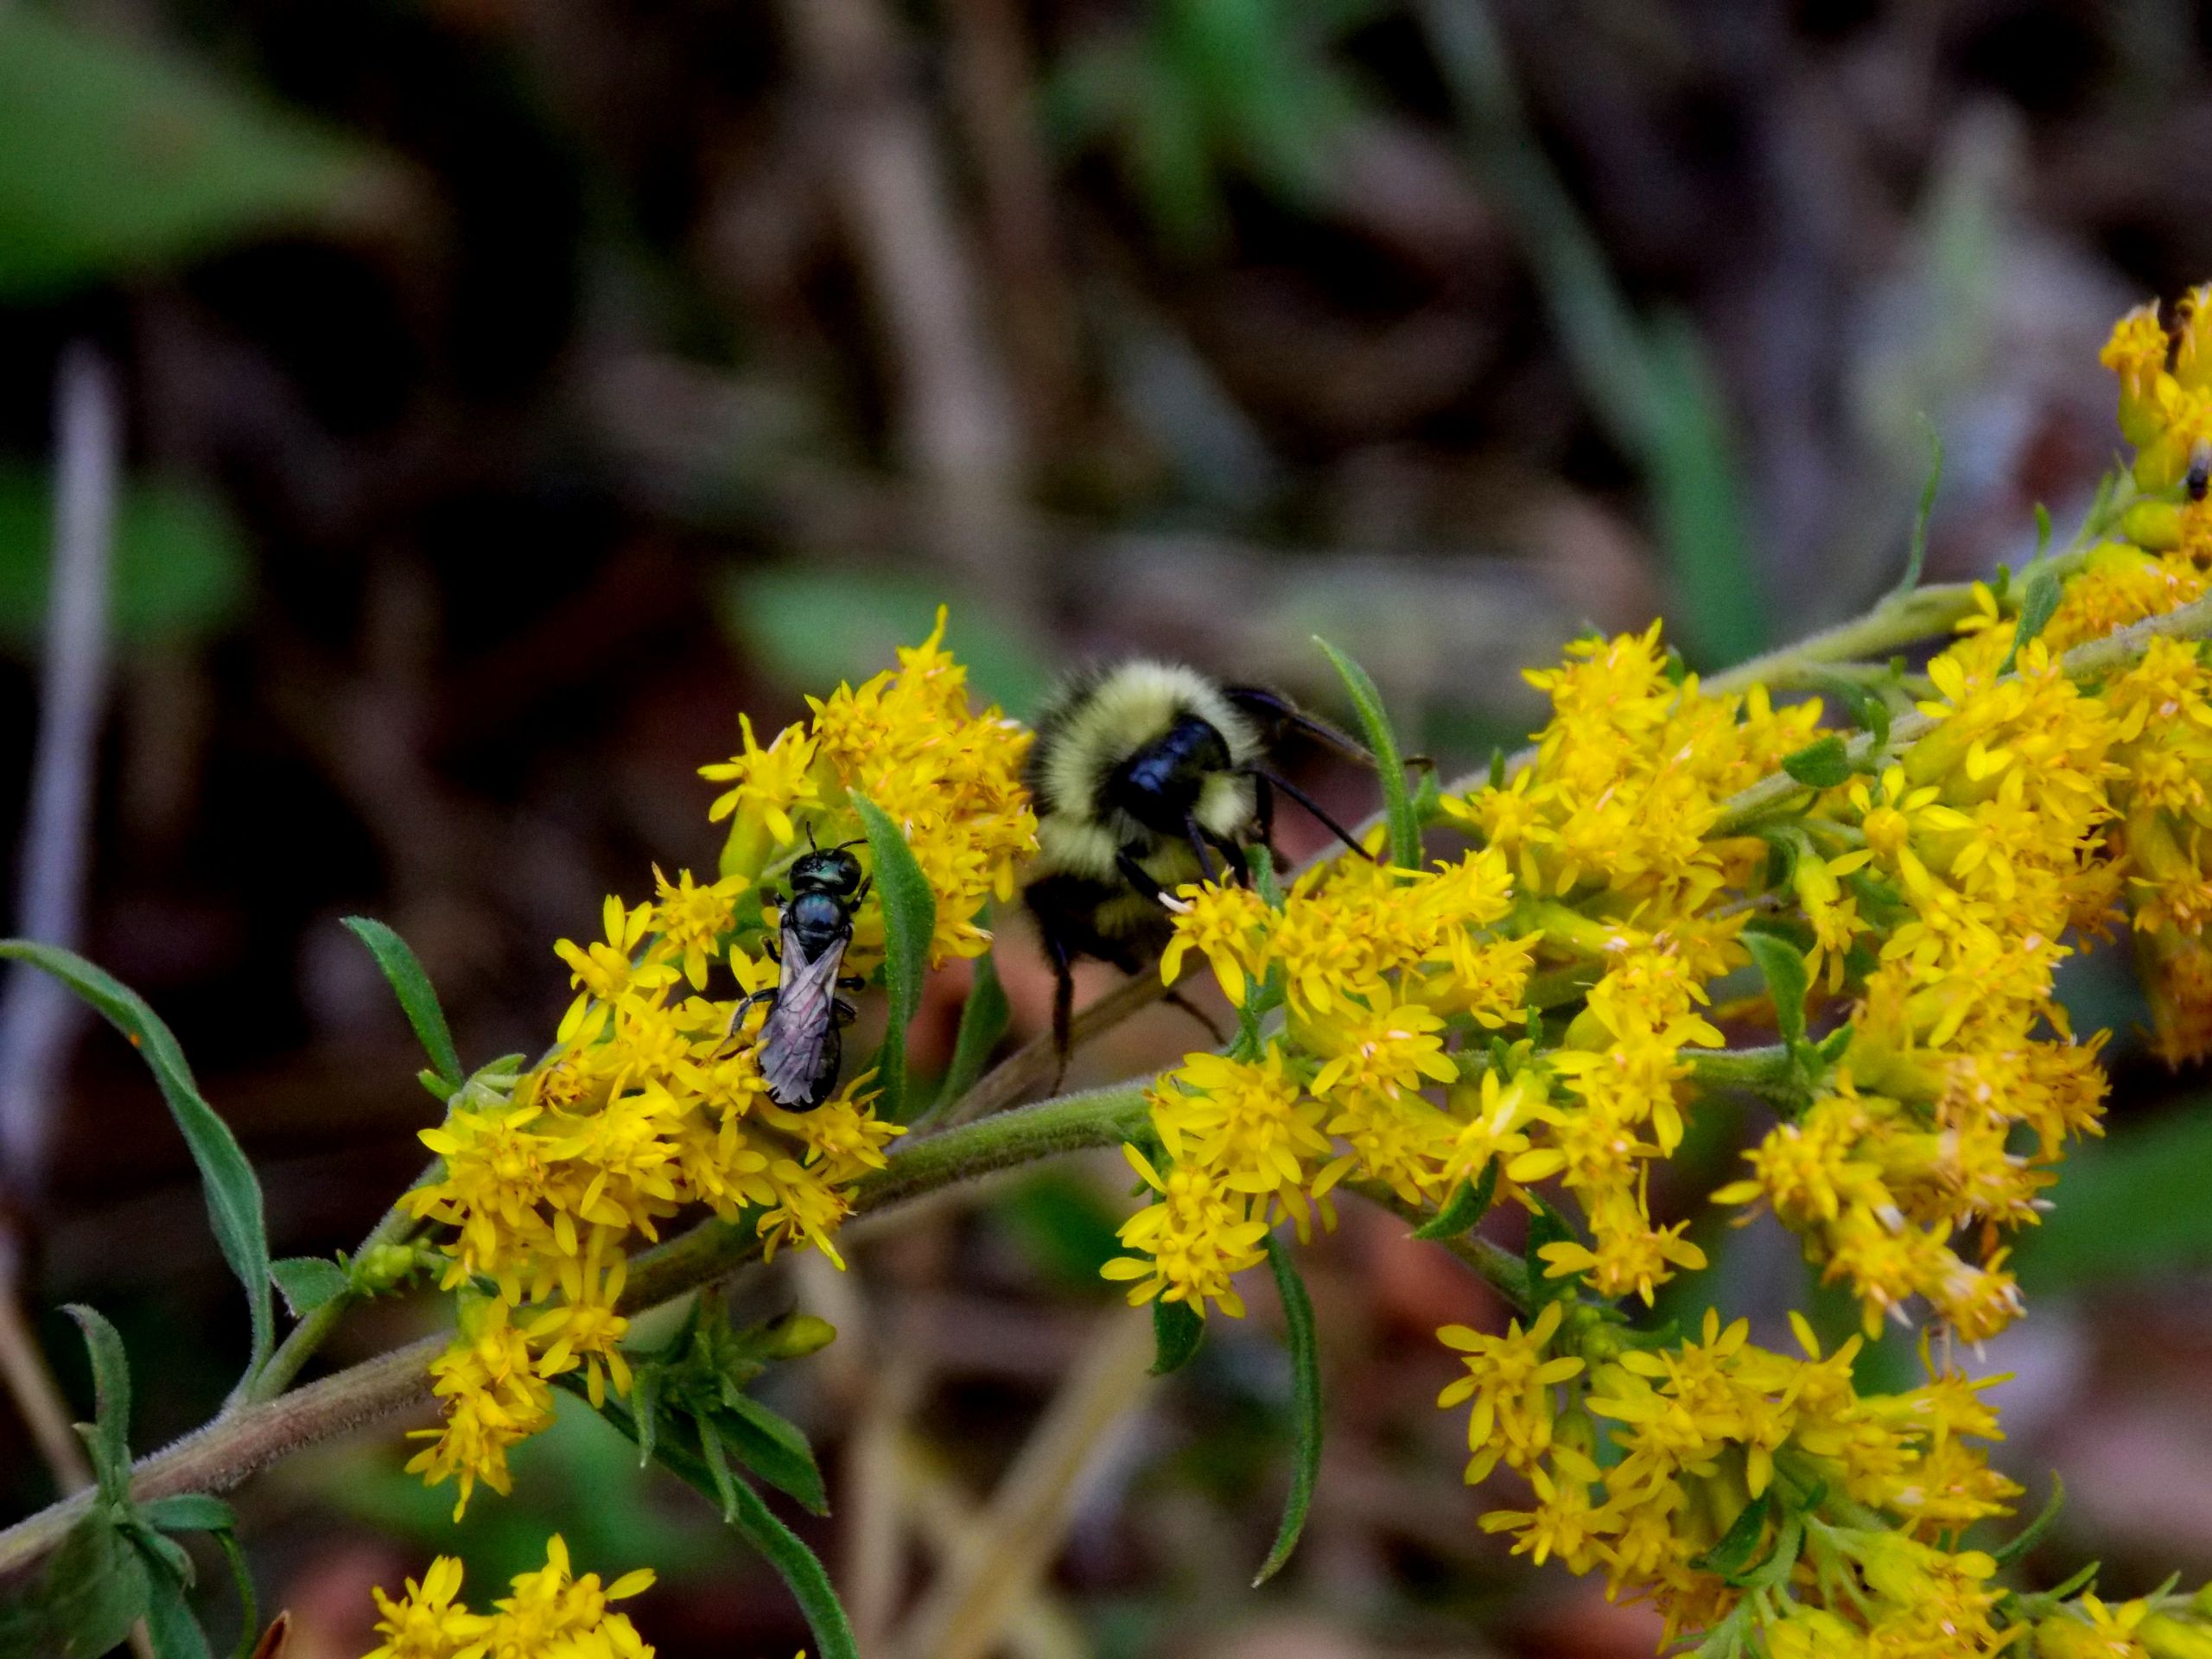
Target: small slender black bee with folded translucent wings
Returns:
[[802, 1043]]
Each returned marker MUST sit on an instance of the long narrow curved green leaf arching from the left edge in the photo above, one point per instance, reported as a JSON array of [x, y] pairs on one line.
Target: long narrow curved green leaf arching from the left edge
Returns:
[[229, 1180]]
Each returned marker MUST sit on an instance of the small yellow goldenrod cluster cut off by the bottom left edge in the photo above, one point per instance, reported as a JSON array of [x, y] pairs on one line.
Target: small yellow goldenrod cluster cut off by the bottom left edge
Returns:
[[552, 1616]]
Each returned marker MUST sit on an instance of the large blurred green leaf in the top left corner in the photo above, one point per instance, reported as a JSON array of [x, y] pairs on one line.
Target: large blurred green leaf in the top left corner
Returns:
[[118, 158]]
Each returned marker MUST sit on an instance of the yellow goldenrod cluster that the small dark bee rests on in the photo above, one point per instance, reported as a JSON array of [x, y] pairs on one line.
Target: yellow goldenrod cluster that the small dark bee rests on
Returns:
[[649, 1103]]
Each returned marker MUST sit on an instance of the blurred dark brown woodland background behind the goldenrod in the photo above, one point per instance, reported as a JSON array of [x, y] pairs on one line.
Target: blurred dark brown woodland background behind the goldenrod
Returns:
[[514, 390]]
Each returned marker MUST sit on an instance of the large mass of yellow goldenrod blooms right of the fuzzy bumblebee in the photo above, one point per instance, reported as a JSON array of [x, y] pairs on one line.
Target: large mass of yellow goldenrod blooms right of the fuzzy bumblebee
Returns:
[[1545, 1010]]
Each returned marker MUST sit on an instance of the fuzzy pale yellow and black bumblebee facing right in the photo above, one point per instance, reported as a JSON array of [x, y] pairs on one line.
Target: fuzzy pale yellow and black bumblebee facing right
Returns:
[[1145, 778]]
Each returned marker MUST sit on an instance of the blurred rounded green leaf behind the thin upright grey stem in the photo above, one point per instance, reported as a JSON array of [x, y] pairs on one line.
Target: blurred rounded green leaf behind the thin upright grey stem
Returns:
[[180, 561]]
